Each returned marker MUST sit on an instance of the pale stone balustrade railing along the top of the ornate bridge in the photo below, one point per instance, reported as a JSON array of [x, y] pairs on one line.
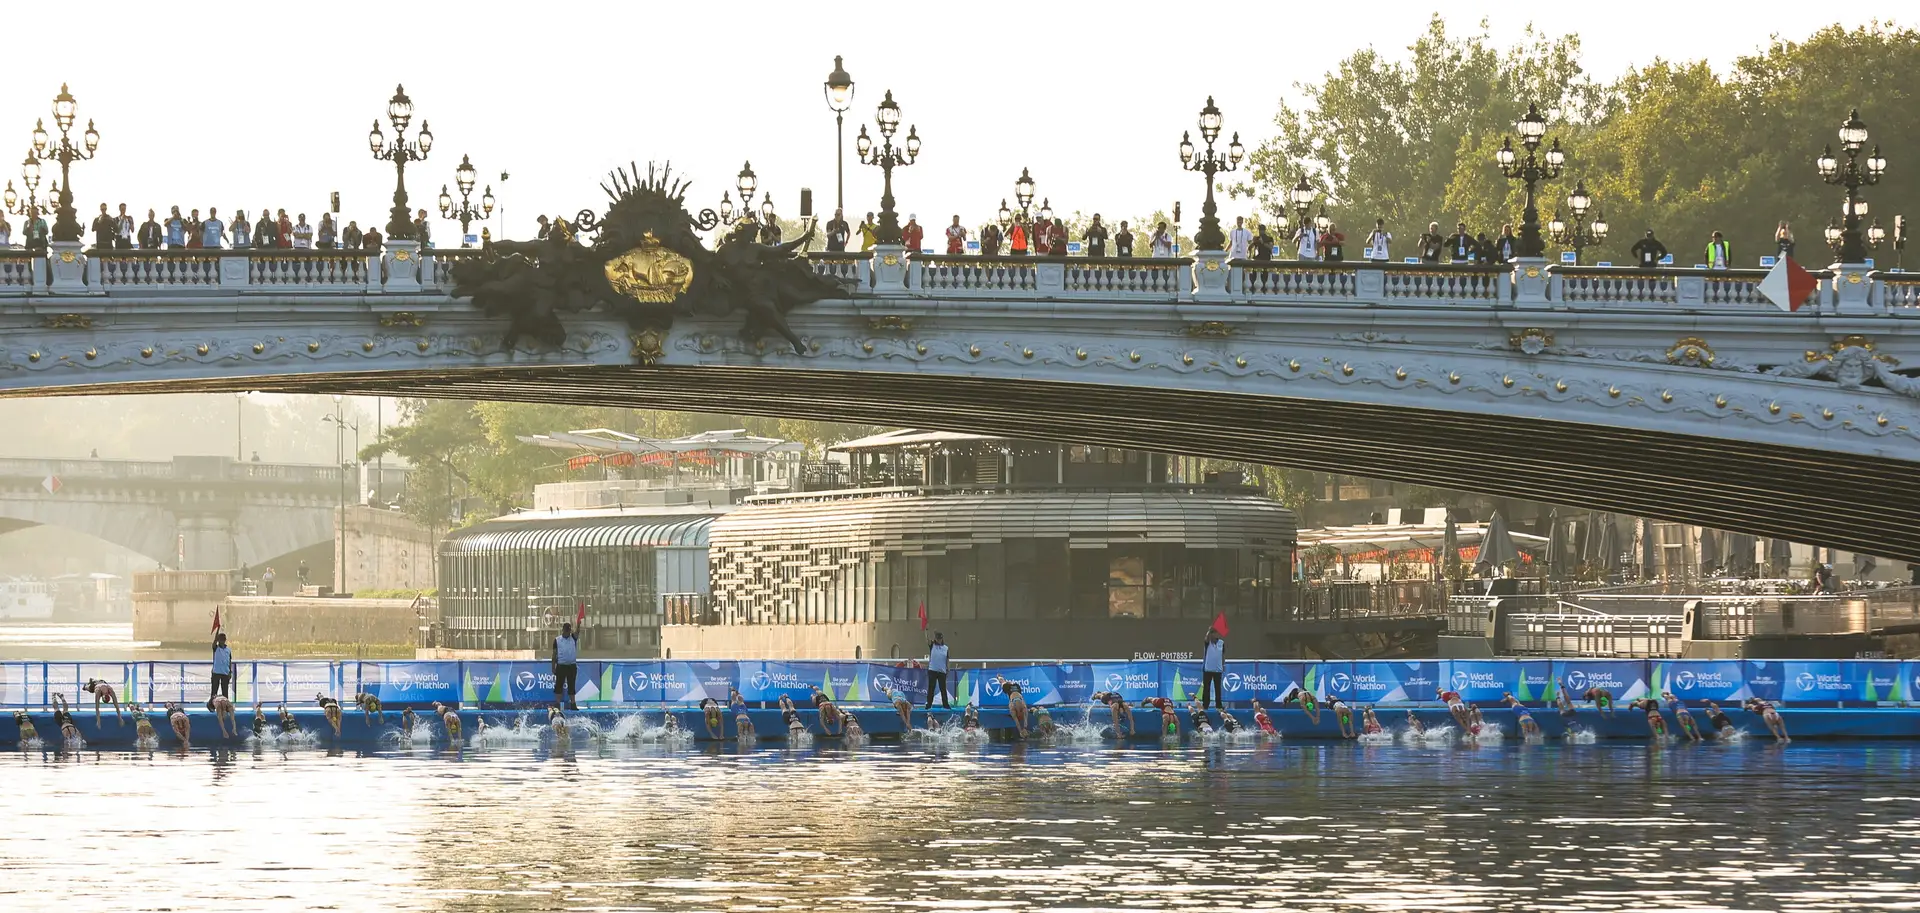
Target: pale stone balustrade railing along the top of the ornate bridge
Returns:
[[406, 269]]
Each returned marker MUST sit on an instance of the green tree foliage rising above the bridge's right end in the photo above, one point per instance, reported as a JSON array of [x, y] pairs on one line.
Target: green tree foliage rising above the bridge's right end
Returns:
[[1673, 147]]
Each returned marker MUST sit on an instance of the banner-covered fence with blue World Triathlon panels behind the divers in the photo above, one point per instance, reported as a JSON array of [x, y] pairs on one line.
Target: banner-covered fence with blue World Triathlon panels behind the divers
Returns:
[[673, 682]]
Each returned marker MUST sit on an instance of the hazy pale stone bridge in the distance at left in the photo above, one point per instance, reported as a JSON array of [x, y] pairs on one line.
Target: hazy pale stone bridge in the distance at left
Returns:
[[199, 513]]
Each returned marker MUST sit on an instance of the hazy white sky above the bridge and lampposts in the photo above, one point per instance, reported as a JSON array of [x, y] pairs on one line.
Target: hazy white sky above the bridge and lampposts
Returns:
[[247, 106]]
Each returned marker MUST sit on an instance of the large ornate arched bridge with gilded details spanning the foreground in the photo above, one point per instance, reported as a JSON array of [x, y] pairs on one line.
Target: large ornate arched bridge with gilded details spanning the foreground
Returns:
[[1677, 394]]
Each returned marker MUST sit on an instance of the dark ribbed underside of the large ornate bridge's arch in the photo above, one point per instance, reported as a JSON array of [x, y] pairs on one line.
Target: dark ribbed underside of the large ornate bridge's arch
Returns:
[[1833, 500]]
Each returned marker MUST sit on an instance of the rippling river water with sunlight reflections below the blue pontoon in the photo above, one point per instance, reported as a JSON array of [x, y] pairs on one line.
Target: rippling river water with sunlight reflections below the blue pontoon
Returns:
[[986, 828]]
